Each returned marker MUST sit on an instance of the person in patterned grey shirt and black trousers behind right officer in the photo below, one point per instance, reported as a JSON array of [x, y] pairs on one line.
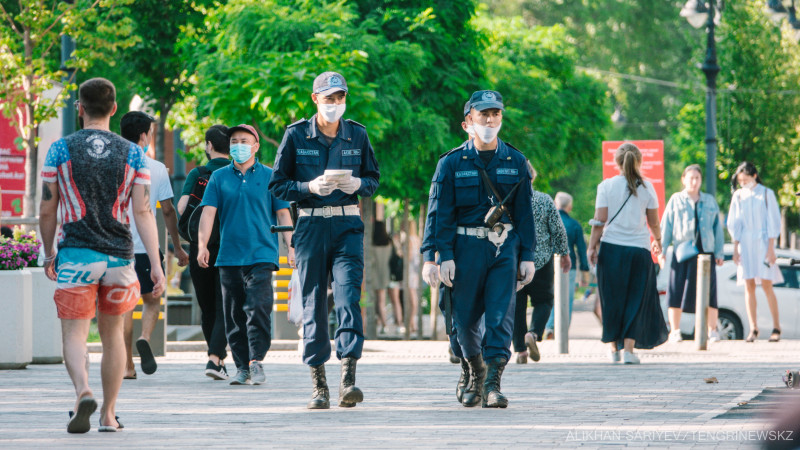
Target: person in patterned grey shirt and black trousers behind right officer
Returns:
[[551, 239]]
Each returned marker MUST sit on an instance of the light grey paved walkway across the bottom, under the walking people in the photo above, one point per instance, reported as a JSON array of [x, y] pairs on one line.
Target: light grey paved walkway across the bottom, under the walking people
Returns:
[[574, 400]]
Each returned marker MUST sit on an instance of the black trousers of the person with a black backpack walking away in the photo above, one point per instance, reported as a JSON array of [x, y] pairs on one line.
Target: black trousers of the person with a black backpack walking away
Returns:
[[208, 290]]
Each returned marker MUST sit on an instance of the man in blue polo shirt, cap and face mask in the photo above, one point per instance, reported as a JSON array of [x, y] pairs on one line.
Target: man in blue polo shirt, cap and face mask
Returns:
[[248, 252]]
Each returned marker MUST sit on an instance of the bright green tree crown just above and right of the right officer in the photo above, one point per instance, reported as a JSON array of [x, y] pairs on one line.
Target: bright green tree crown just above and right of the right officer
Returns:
[[555, 115]]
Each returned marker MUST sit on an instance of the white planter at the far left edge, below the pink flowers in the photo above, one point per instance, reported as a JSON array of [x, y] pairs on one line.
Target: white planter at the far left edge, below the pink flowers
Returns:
[[16, 320]]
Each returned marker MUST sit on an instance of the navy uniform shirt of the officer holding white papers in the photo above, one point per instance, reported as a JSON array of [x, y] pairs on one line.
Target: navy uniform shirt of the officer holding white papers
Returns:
[[304, 155]]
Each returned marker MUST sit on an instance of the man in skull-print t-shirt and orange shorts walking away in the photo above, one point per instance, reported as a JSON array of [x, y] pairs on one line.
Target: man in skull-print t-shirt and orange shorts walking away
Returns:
[[90, 179]]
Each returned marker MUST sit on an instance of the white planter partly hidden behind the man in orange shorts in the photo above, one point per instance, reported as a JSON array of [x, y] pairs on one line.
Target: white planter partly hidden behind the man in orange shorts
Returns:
[[46, 324]]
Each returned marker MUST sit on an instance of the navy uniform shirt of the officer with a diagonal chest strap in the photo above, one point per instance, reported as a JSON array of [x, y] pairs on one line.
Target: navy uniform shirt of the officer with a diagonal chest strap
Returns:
[[463, 200]]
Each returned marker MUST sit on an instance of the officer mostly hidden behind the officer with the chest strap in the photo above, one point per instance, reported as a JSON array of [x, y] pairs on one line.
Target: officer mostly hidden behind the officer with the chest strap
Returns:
[[430, 269]]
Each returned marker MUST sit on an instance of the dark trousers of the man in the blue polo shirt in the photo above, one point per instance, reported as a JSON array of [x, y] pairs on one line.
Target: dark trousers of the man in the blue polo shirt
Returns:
[[247, 299]]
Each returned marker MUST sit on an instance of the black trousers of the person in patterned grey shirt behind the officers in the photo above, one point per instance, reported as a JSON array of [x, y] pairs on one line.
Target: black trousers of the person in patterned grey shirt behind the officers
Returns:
[[541, 293]]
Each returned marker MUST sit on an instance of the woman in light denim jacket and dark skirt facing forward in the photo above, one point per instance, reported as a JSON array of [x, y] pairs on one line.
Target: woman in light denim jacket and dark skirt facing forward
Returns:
[[691, 223]]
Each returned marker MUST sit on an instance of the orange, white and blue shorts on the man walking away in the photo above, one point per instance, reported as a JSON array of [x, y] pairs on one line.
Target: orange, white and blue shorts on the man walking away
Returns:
[[89, 280]]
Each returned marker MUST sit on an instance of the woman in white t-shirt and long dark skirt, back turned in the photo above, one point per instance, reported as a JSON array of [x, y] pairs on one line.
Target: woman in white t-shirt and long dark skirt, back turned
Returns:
[[620, 248]]
